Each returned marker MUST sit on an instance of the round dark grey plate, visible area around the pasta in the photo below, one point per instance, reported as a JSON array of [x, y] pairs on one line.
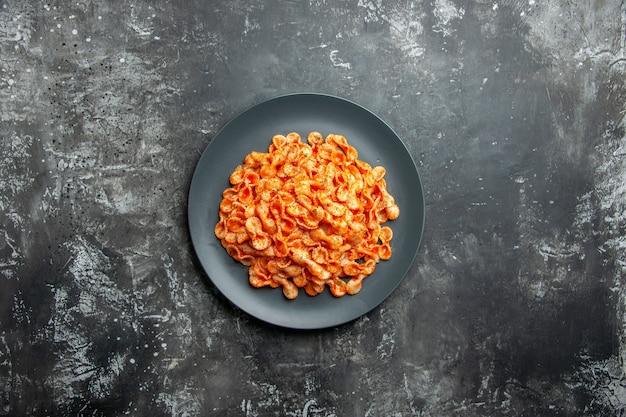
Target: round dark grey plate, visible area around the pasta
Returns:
[[253, 130]]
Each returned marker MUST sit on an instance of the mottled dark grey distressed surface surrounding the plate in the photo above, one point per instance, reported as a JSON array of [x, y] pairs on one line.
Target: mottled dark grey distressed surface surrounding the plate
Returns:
[[513, 111]]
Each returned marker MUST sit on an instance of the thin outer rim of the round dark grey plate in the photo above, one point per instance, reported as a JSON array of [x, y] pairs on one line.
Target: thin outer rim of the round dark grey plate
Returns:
[[215, 139]]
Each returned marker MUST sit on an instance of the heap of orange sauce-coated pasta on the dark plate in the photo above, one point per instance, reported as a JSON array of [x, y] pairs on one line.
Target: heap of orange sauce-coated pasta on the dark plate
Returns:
[[307, 215]]
